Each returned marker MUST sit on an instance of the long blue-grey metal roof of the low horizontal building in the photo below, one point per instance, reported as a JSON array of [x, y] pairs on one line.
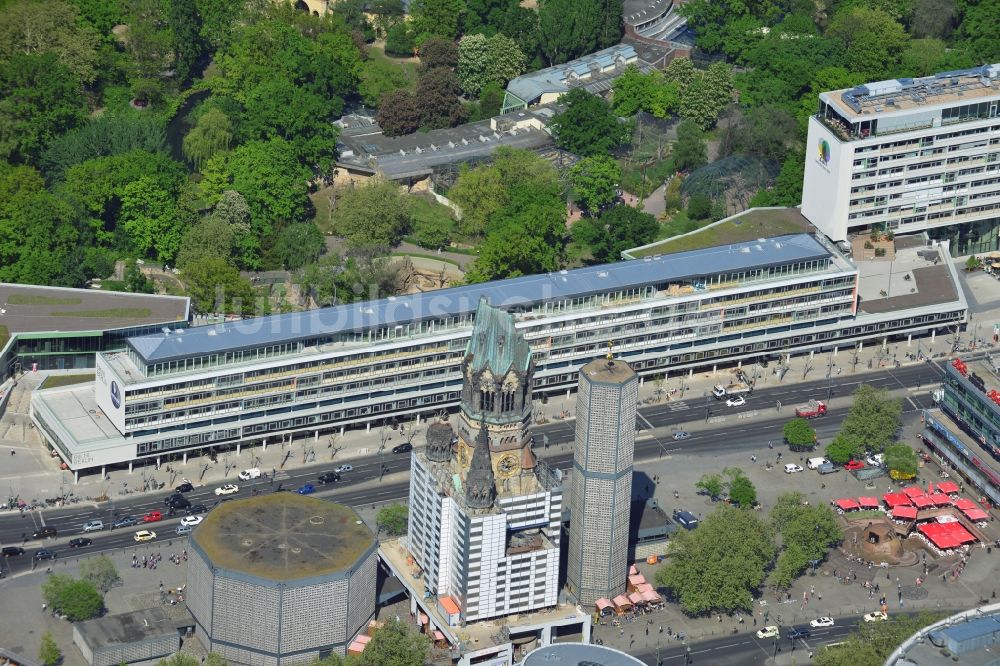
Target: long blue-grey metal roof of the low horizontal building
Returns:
[[513, 292]]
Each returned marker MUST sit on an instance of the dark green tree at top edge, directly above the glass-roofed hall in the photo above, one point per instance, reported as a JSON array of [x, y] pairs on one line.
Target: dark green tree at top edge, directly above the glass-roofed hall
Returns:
[[568, 28]]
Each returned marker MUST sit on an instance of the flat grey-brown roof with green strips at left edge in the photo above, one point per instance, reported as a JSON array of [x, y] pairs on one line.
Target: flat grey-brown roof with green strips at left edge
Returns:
[[34, 309]]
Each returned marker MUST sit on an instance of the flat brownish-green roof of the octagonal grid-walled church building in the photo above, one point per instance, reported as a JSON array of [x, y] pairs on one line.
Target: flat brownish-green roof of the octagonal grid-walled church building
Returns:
[[283, 537]]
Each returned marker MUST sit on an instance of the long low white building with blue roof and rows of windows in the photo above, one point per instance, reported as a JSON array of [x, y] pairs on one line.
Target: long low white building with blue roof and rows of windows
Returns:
[[263, 379]]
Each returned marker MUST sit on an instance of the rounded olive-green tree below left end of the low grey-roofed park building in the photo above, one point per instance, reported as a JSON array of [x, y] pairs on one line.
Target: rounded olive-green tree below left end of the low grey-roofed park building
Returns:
[[376, 214]]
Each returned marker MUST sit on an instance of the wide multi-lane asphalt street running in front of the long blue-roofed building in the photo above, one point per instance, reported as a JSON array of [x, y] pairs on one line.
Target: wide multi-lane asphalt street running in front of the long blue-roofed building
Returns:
[[722, 430]]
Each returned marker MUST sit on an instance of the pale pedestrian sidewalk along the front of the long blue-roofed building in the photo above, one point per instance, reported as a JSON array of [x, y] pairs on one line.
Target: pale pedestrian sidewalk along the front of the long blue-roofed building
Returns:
[[32, 473]]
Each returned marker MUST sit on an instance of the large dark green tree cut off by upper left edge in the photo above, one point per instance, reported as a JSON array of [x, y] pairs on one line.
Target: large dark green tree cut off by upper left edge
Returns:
[[39, 100]]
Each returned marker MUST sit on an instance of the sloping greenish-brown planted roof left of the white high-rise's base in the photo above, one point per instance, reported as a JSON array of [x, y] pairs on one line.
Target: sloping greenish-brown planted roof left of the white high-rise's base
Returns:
[[746, 227]]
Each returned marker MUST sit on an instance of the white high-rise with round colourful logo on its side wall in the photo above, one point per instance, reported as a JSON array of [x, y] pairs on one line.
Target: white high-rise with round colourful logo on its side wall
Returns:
[[909, 155]]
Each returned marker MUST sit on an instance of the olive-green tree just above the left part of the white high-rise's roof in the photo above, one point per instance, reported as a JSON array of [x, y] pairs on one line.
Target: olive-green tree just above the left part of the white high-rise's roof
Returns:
[[872, 40]]
